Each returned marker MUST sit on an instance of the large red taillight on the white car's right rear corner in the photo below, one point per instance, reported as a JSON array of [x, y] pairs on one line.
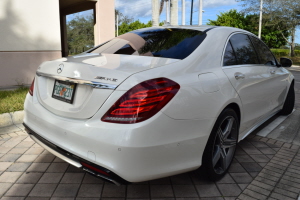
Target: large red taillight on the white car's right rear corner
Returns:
[[142, 101]]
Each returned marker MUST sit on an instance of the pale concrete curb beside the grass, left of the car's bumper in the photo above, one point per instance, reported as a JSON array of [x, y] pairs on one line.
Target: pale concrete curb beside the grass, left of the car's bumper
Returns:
[[8, 119]]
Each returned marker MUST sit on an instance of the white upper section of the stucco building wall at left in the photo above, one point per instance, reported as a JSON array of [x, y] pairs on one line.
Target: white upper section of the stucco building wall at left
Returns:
[[29, 25]]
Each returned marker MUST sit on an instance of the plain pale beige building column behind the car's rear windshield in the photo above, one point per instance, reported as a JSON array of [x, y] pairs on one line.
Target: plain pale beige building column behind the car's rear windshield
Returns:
[[104, 28]]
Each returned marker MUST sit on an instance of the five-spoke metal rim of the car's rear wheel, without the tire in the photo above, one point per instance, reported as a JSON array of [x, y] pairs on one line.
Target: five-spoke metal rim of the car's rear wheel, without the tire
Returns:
[[224, 145]]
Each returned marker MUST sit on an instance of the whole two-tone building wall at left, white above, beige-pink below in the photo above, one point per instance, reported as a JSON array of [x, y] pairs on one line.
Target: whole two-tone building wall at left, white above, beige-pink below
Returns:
[[29, 35]]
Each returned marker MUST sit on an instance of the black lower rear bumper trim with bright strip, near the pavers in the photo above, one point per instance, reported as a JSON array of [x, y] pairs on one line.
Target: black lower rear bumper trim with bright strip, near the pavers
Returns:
[[75, 160]]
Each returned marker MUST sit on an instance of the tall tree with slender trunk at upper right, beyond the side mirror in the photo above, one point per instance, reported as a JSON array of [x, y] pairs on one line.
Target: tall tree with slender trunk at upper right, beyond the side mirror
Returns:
[[284, 14]]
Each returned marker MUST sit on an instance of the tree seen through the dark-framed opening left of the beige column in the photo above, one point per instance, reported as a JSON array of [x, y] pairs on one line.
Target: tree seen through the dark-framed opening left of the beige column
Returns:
[[80, 33]]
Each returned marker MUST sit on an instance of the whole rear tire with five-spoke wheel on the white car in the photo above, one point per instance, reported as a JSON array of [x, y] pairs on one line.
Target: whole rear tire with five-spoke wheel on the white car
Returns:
[[221, 146]]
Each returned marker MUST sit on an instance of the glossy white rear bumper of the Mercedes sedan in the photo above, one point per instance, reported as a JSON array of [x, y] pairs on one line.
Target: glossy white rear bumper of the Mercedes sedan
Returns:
[[156, 148]]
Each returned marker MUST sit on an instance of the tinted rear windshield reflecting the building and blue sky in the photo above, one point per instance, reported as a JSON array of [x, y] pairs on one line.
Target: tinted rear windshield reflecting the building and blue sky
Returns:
[[157, 42]]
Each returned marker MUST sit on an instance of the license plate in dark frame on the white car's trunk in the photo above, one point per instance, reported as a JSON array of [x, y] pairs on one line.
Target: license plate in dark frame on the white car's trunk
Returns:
[[64, 91]]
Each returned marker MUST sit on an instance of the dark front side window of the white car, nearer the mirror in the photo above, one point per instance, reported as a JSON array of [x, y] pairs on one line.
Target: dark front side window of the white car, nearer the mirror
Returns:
[[264, 53]]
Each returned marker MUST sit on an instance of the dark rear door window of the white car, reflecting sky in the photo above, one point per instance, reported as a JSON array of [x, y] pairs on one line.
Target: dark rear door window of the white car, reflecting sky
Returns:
[[243, 49]]
